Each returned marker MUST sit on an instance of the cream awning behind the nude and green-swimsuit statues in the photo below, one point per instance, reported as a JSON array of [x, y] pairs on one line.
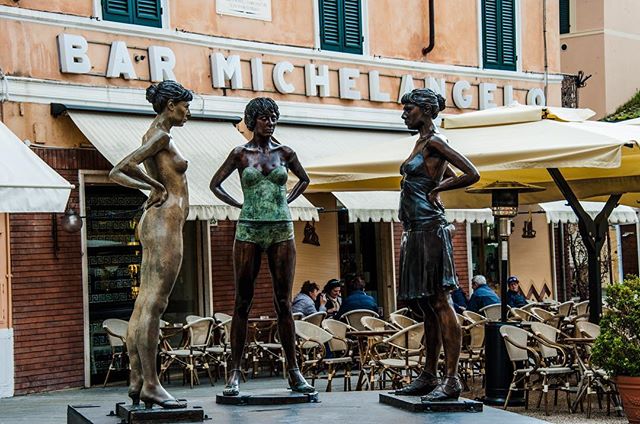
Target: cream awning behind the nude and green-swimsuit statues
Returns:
[[205, 144]]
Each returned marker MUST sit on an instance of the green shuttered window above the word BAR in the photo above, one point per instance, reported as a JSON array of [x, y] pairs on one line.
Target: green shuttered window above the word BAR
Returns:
[[138, 12]]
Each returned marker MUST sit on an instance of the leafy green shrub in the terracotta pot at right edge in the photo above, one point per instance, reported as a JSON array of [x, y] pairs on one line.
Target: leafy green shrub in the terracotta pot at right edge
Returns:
[[617, 349]]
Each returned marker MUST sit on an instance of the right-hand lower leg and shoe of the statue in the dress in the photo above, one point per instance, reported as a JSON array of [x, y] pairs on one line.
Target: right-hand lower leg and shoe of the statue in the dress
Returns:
[[450, 386]]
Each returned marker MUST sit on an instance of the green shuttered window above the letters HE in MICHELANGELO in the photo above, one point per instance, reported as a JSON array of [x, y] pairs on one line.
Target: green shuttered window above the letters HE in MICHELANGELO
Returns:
[[341, 25]]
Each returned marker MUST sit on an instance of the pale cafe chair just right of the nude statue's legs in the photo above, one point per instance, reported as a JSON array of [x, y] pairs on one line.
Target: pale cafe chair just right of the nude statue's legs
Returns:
[[193, 354]]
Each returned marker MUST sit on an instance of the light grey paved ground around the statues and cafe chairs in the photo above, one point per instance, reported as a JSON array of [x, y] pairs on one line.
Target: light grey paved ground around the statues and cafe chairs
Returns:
[[50, 408]]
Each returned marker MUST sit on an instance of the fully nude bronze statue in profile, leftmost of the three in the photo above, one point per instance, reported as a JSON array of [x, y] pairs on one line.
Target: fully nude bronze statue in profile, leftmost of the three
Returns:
[[160, 232]]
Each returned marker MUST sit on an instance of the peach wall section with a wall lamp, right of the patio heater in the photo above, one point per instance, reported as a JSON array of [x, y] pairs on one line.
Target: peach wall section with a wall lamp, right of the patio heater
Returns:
[[530, 258]]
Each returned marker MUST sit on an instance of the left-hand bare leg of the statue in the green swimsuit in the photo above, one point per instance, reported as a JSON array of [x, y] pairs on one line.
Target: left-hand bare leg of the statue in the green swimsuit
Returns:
[[246, 265]]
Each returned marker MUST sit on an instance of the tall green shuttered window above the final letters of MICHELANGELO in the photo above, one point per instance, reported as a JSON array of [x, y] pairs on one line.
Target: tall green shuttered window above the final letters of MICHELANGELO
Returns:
[[499, 34]]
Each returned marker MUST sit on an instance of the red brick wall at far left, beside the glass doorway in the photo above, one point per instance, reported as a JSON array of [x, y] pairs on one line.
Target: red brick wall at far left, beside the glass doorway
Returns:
[[47, 289]]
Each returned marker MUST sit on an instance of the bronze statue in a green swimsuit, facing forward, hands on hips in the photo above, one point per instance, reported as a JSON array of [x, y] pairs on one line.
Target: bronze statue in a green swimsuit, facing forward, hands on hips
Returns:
[[264, 225]]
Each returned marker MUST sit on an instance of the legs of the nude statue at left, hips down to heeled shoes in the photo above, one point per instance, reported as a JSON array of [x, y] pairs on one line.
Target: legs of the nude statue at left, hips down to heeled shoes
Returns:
[[162, 241]]
